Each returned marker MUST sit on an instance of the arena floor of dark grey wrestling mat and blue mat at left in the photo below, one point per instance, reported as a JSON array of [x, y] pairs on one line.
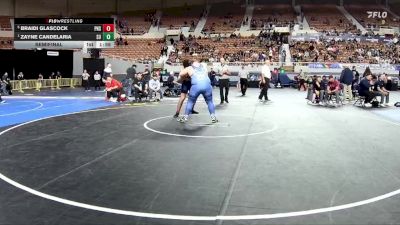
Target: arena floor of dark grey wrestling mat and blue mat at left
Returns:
[[77, 160]]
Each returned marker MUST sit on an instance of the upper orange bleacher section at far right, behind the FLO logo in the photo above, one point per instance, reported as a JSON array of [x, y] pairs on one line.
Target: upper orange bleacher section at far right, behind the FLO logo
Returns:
[[360, 13]]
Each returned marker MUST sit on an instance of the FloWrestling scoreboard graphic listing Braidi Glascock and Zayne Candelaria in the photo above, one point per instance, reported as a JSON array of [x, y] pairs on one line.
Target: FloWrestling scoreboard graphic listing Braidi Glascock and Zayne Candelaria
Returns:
[[63, 33]]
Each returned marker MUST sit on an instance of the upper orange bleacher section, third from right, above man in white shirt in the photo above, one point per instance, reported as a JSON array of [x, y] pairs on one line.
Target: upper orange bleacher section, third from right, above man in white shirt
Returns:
[[278, 14]]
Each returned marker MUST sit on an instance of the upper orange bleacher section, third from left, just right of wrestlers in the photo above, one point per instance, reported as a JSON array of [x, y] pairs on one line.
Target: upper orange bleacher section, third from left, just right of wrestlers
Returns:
[[224, 18]]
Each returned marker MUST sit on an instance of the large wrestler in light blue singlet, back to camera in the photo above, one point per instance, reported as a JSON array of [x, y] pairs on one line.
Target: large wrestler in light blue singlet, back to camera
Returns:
[[201, 85]]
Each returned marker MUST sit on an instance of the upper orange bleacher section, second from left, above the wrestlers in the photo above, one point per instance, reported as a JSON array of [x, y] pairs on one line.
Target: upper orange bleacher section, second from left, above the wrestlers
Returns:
[[183, 16]]
